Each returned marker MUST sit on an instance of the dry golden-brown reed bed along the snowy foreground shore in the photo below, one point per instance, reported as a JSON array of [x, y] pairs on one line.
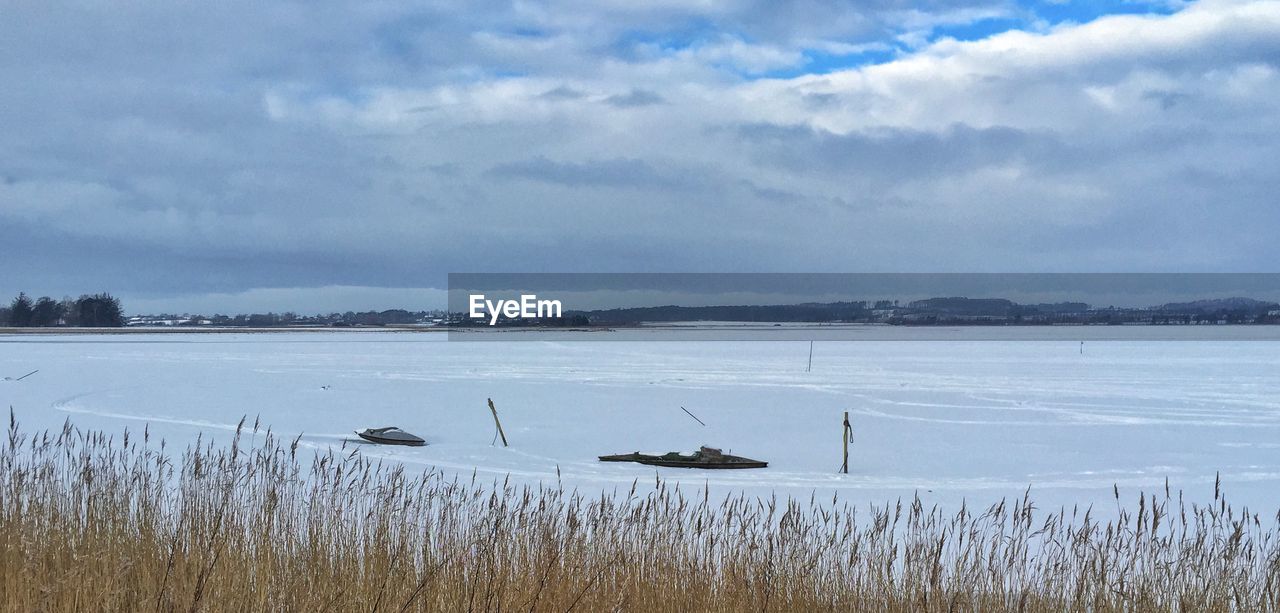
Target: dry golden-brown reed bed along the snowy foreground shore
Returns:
[[95, 523]]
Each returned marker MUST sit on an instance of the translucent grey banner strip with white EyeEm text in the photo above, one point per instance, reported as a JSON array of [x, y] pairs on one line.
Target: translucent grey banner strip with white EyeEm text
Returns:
[[857, 306]]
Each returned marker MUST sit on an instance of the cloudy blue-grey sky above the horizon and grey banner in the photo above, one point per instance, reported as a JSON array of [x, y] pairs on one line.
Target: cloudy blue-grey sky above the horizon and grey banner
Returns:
[[248, 155]]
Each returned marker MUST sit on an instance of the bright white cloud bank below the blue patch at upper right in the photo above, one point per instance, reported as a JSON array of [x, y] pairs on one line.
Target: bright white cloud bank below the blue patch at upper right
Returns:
[[1059, 80]]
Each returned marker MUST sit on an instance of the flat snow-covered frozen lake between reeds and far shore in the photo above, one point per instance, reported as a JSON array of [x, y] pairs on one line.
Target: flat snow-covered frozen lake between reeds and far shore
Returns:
[[953, 420]]
